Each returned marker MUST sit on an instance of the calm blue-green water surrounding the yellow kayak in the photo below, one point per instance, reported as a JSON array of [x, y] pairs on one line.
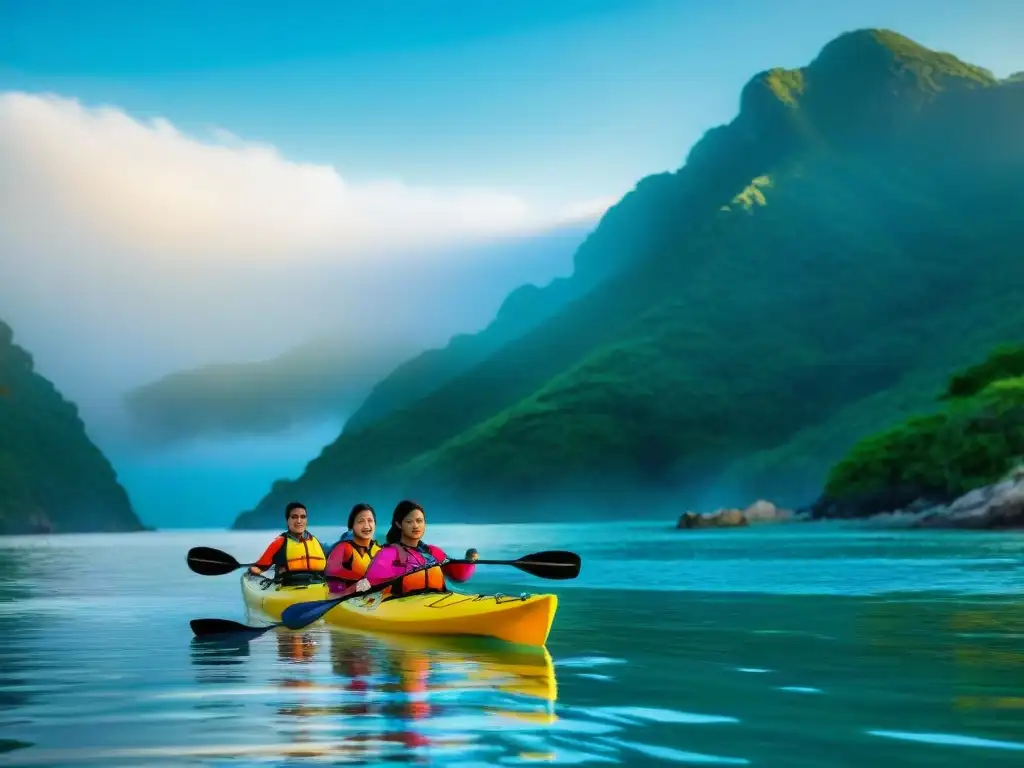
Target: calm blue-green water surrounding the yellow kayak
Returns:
[[786, 647]]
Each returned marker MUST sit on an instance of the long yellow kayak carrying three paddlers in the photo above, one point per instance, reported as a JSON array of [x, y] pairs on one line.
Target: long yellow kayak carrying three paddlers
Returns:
[[522, 620]]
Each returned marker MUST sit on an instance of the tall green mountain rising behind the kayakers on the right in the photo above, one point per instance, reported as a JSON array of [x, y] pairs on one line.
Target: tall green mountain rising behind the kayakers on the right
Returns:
[[814, 273]]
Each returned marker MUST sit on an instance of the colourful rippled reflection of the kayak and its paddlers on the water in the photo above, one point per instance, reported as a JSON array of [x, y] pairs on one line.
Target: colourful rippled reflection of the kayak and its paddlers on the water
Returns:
[[397, 698]]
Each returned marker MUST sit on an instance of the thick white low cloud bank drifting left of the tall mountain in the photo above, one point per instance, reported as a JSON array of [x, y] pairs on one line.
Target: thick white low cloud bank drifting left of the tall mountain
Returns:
[[130, 250]]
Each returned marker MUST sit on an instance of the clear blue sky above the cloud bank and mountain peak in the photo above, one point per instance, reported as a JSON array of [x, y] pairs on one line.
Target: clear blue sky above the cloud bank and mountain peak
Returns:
[[559, 100]]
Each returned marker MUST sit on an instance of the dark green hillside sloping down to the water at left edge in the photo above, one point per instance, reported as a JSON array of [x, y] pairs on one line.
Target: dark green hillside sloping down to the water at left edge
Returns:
[[53, 478]]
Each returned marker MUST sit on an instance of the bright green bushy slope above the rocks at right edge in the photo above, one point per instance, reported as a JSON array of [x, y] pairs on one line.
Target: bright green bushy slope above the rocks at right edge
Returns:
[[975, 440]]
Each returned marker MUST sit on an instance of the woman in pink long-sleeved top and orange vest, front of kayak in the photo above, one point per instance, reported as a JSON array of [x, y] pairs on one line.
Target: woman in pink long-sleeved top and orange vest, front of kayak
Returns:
[[407, 551]]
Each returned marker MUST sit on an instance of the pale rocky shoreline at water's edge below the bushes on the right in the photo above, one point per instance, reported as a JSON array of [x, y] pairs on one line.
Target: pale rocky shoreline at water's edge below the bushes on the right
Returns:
[[999, 506]]
